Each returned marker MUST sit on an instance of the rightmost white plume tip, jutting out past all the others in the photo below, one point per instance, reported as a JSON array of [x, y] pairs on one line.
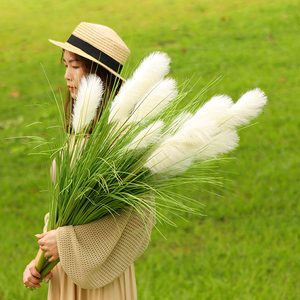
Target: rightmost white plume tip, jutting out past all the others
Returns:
[[248, 107]]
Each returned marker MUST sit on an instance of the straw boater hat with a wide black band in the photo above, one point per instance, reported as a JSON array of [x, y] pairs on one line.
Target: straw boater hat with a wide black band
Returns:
[[98, 43]]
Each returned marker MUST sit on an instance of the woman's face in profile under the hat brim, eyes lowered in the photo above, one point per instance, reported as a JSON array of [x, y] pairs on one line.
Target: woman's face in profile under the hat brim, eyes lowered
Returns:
[[74, 72]]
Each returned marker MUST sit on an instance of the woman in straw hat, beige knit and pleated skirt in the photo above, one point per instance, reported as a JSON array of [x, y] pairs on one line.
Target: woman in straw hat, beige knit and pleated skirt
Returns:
[[96, 259]]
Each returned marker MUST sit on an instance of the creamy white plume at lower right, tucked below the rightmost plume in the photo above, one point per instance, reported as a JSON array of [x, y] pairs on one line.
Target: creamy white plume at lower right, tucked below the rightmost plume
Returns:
[[221, 143]]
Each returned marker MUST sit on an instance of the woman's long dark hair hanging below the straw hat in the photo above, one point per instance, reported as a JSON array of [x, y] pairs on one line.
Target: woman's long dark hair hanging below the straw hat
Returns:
[[111, 84]]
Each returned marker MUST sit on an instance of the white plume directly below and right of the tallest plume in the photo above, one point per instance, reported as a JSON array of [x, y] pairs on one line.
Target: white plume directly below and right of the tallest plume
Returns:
[[155, 101]]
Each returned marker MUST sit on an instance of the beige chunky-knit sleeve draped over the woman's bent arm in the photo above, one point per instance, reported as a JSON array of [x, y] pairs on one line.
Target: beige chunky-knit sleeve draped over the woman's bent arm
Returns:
[[95, 254]]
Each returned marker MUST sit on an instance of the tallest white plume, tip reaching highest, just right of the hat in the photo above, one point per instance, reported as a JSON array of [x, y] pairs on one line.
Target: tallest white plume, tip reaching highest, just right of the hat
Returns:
[[152, 69]]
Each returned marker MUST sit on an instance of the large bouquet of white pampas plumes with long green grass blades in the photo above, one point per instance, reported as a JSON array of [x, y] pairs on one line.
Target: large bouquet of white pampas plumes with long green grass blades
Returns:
[[144, 144]]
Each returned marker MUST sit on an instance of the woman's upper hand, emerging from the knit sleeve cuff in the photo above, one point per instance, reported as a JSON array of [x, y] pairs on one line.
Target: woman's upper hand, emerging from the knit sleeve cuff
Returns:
[[48, 244]]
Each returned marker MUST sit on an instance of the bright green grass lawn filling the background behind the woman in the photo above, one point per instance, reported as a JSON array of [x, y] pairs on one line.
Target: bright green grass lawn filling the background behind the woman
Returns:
[[247, 246]]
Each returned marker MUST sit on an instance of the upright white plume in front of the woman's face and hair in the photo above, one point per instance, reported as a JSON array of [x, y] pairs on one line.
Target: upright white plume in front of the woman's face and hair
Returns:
[[88, 100]]
